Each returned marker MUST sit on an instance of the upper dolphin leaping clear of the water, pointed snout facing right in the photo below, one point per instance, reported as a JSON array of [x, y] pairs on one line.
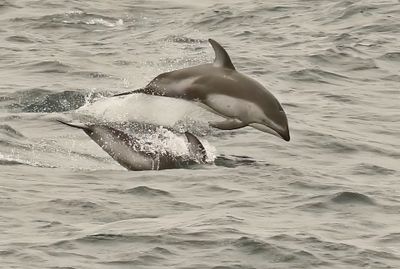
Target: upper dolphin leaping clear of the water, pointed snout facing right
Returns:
[[224, 91]]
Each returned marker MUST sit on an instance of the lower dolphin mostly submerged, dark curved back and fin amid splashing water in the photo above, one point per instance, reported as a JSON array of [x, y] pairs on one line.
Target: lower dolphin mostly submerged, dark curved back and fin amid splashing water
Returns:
[[126, 150]]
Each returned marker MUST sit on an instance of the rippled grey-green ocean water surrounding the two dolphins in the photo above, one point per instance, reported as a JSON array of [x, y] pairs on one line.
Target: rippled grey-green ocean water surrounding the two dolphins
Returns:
[[329, 198]]
